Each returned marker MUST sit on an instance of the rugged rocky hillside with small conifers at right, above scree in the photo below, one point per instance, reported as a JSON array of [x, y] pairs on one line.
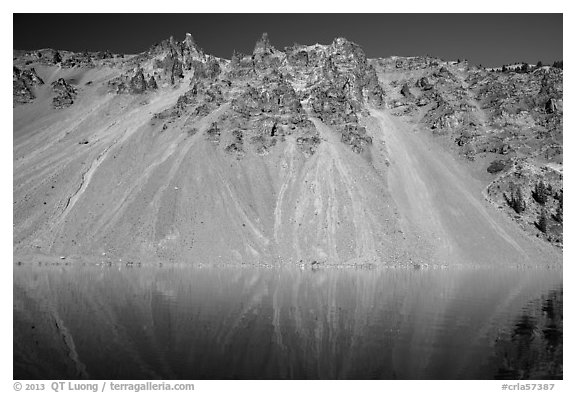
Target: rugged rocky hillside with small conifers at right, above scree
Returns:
[[497, 119]]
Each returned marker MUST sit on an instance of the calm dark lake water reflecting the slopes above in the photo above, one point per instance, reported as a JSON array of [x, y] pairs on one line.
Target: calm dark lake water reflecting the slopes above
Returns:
[[122, 322]]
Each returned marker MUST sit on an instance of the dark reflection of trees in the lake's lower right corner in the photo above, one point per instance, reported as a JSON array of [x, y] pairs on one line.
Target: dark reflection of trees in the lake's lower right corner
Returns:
[[533, 348]]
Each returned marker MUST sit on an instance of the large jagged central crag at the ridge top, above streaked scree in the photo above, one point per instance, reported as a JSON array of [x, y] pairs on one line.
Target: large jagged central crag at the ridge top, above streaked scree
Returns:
[[272, 94]]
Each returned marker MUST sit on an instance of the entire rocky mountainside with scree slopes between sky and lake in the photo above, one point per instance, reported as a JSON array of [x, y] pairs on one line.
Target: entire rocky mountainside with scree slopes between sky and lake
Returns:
[[312, 154]]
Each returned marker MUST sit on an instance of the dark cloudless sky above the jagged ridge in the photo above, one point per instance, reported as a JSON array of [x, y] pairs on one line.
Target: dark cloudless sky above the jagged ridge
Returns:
[[487, 39]]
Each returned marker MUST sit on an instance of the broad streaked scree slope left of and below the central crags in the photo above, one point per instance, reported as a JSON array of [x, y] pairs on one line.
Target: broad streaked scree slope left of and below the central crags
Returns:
[[101, 177]]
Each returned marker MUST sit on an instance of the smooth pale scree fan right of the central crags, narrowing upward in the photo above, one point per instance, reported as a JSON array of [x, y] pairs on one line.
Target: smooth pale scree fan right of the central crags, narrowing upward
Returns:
[[436, 194]]
